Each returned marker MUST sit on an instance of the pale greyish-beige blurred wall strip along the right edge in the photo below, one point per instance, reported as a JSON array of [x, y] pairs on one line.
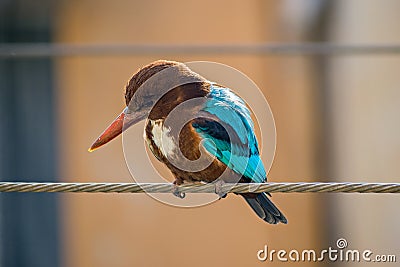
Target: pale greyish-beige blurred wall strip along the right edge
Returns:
[[364, 97]]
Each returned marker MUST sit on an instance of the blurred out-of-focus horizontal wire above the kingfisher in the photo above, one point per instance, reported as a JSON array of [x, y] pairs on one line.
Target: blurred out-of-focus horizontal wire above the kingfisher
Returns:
[[15, 50]]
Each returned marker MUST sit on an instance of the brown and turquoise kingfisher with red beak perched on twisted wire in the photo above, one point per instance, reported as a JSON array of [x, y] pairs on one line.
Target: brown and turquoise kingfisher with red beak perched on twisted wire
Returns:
[[220, 130]]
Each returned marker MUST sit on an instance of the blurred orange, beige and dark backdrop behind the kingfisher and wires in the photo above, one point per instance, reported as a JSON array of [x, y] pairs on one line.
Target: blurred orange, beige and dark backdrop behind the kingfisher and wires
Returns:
[[337, 119]]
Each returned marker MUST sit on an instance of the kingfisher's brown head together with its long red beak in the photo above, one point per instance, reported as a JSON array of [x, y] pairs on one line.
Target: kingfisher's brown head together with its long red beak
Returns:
[[150, 88]]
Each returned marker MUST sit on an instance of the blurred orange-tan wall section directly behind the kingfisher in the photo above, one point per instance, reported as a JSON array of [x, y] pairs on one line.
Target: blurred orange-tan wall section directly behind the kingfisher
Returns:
[[128, 230]]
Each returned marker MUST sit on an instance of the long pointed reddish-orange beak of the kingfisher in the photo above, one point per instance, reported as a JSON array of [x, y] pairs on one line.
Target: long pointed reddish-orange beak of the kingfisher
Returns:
[[120, 124]]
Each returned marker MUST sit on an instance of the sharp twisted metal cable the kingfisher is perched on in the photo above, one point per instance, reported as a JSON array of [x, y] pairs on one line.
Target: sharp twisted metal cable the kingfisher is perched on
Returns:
[[317, 187]]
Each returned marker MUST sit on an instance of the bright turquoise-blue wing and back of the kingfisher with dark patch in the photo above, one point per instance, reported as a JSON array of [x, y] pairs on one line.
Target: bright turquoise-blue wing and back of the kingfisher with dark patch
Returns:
[[230, 135]]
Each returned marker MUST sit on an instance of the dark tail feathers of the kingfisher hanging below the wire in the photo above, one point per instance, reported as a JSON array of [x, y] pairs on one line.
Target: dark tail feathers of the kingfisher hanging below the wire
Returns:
[[264, 208]]
